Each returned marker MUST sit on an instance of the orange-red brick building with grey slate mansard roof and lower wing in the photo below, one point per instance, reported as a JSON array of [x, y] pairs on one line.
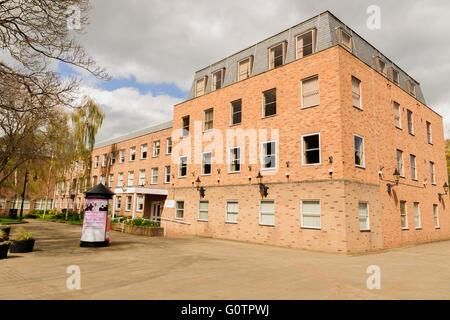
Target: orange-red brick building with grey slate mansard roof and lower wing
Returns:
[[293, 141]]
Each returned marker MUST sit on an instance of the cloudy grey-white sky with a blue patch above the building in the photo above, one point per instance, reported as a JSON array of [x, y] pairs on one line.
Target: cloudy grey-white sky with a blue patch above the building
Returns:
[[152, 48]]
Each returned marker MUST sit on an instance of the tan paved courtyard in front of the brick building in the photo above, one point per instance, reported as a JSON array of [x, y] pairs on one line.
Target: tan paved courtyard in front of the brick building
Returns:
[[136, 267]]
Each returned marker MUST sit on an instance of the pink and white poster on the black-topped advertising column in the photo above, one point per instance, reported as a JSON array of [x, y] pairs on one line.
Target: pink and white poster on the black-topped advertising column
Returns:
[[94, 222]]
